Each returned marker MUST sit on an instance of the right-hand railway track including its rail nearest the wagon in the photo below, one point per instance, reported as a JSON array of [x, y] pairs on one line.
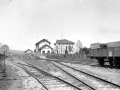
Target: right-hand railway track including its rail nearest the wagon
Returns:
[[95, 82]]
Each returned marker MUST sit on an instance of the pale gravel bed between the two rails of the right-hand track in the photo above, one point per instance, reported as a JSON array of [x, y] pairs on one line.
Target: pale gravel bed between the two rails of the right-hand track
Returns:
[[98, 85]]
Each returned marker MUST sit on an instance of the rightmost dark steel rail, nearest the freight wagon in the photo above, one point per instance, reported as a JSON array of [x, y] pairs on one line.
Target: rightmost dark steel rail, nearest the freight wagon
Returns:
[[91, 75]]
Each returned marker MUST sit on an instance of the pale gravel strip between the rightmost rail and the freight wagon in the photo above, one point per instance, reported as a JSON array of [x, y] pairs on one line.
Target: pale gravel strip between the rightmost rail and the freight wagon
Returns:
[[107, 73]]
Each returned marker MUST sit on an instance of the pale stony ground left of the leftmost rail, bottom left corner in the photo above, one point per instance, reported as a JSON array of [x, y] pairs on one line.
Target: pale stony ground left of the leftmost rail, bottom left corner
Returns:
[[16, 79]]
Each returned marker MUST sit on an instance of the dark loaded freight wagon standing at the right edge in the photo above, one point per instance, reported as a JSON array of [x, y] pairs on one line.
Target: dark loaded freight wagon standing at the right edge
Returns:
[[108, 52]]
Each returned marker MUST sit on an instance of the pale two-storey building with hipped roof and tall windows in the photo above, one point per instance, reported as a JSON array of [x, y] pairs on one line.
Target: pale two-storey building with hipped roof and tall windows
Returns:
[[62, 45]]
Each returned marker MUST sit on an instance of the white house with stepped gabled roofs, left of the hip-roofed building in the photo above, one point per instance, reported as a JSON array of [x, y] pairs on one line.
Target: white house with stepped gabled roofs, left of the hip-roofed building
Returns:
[[43, 47]]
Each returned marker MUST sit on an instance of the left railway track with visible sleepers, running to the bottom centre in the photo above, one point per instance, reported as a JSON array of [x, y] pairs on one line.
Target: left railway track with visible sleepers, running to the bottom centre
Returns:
[[51, 82]]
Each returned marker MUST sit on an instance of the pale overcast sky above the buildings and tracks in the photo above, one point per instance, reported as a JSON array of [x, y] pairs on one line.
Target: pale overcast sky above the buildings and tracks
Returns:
[[25, 22]]
